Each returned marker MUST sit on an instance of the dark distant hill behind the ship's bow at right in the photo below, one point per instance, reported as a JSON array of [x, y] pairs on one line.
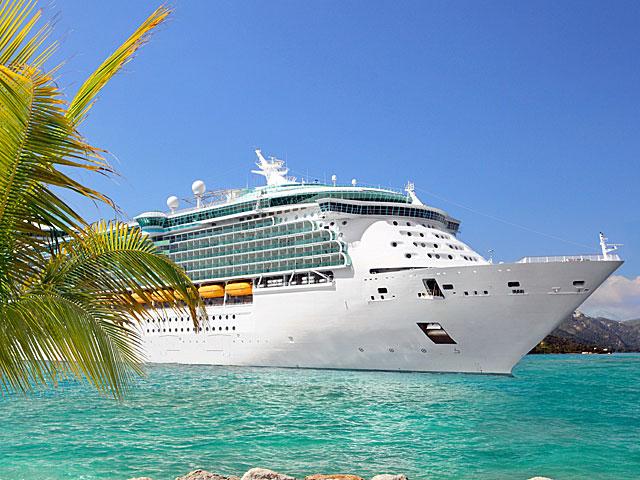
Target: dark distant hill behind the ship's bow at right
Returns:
[[581, 333]]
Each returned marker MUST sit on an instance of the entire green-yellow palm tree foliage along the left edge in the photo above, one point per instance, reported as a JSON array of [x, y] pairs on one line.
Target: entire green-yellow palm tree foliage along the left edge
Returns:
[[69, 291]]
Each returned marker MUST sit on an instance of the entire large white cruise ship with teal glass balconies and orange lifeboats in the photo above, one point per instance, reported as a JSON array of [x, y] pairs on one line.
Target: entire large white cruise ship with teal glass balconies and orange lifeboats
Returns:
[[318, 275]]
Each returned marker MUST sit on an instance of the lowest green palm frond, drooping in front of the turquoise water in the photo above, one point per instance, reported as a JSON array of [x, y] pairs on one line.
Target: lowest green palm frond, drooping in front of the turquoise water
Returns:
[[45, 336]]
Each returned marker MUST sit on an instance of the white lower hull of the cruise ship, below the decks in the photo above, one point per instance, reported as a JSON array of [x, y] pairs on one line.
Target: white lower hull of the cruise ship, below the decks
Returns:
[[337, 324]]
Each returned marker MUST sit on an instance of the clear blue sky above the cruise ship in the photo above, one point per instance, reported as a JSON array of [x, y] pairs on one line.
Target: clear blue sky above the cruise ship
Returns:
[[528, 112]]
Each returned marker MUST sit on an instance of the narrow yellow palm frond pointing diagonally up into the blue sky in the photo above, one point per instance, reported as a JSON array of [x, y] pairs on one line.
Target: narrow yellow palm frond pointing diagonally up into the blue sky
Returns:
[[86, 95]]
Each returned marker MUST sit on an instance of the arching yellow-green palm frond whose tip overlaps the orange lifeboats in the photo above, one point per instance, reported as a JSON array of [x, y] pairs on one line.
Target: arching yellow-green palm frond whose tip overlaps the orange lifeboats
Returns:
[[111, 261]]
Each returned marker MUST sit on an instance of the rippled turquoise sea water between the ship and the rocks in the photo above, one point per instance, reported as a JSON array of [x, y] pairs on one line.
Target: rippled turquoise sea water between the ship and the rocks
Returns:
[[565, 417]]
